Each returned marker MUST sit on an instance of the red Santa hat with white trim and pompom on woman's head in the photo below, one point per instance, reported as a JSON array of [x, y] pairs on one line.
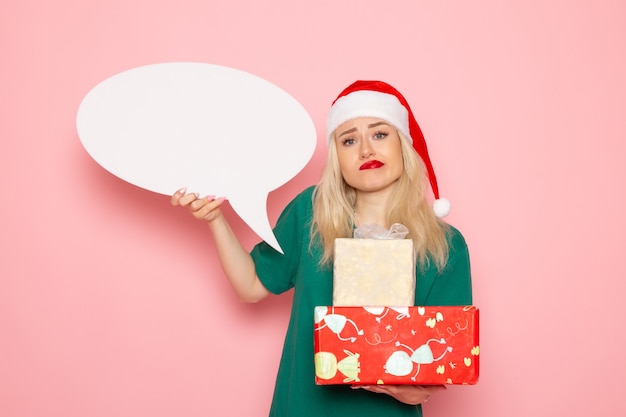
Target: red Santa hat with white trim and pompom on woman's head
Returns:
[[379, 99]]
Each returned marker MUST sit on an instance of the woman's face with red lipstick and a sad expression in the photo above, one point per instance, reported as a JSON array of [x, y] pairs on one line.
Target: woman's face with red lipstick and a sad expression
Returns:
[[369, 154]]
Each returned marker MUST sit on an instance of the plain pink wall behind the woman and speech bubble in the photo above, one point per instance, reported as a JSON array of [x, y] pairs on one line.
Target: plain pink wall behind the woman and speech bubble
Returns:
[[112, 303]]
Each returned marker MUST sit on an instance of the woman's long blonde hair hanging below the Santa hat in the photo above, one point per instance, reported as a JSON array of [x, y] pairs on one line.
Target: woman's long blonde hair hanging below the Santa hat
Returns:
[[334, 216]]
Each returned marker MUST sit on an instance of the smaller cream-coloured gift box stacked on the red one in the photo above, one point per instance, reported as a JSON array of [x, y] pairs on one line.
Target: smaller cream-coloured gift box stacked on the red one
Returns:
[[374, 272]]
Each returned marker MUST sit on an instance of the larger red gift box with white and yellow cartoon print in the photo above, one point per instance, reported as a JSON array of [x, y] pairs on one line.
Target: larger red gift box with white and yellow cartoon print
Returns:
[[396, 345]]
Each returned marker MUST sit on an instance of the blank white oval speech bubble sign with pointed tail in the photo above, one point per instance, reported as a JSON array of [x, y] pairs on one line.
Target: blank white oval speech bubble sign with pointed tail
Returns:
[[213, 129]]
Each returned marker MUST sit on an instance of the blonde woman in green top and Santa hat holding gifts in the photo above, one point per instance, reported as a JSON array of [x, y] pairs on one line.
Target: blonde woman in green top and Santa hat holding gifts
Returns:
[[377, 172]]
